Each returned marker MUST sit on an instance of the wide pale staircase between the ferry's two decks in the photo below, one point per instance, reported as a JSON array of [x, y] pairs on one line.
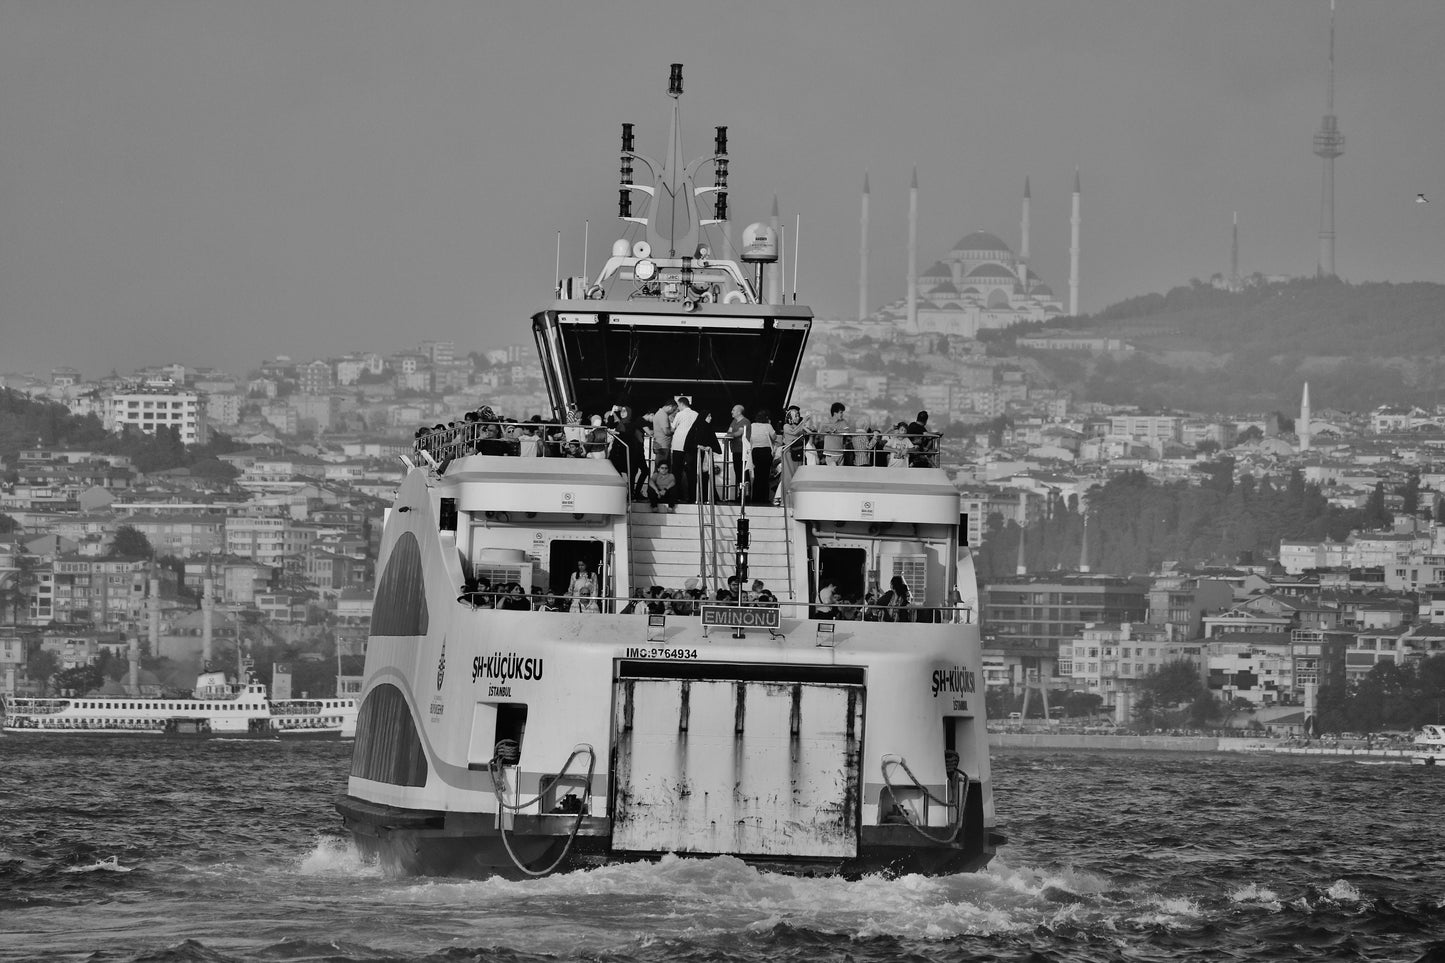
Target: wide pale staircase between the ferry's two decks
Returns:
[[667, 553]]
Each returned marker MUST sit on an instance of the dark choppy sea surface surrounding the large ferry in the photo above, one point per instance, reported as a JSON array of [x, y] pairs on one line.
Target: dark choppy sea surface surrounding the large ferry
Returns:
[[129, 849]]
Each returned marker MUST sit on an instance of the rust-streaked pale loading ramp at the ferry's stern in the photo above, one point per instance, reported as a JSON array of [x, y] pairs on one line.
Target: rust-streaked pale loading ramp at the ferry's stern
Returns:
[[745, 758]]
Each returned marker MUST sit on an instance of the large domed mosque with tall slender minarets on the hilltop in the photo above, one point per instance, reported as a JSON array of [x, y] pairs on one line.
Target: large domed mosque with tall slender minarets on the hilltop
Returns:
[[982, 284]]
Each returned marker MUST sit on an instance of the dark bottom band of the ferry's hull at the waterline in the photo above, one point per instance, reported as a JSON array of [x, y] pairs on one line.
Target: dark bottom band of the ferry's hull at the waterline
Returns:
[[433, 844]]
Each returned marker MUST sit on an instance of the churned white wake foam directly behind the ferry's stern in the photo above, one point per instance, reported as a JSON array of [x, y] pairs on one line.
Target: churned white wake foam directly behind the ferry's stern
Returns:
[[725, 896]]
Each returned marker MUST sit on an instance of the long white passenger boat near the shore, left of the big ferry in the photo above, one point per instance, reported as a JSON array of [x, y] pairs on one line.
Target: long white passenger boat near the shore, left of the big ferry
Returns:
[[217, 708]]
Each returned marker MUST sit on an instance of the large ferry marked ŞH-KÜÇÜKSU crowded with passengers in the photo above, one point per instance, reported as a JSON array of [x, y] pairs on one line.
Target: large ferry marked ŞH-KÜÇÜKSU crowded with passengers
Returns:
[[560, 676]]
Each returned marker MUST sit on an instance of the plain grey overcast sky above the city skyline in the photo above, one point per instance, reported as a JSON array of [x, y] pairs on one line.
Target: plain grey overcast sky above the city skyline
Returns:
[[222, 181]]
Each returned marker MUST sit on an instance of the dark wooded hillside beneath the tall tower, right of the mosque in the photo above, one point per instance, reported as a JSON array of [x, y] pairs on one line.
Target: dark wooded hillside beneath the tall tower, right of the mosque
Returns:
[[1359, 346]]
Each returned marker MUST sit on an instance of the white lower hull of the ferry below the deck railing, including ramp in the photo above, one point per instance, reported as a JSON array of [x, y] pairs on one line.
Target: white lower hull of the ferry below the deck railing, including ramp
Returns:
[[772, 748]]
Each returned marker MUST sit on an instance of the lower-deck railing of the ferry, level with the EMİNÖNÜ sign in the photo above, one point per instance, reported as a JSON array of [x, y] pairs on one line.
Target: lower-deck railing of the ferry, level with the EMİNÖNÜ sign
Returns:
[[681, 605]]
